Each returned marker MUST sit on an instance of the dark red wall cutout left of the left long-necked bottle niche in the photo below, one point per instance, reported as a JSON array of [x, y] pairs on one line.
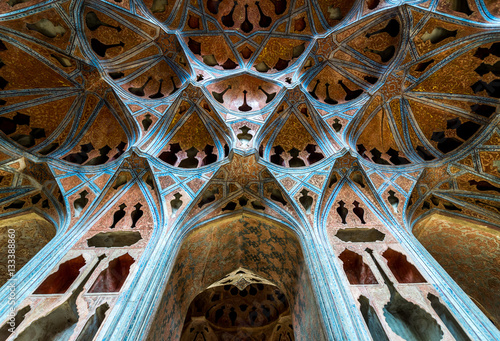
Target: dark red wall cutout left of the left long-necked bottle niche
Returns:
[[61, 280]]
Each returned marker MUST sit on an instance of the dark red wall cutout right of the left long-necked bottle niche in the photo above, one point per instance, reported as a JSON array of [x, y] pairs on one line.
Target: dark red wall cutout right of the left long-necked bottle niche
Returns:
[[112, 278]]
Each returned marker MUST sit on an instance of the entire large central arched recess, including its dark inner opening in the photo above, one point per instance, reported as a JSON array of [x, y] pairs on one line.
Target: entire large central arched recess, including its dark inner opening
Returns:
[[227, 264]]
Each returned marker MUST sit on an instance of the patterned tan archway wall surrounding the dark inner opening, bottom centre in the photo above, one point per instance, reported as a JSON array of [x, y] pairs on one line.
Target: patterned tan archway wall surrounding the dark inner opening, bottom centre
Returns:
[[232, 242]]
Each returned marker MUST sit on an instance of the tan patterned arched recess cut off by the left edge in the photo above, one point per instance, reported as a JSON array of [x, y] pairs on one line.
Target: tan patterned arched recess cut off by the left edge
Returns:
[[32, 233]]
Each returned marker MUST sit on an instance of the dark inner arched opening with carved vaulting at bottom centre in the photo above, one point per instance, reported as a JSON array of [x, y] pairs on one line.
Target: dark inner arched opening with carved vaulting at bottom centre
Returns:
[[242, 306]]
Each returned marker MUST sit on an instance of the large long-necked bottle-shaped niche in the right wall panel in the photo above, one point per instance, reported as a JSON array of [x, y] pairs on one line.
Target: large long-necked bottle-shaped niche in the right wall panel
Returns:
[[405, 318]]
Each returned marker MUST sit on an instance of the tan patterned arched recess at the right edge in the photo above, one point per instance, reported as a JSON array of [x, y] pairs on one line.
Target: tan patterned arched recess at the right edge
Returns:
[[468, 251]]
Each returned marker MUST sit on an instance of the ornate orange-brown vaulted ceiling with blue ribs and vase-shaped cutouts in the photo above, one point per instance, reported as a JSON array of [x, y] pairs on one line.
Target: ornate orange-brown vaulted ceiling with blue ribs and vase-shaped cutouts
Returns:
[[186, 81]]
